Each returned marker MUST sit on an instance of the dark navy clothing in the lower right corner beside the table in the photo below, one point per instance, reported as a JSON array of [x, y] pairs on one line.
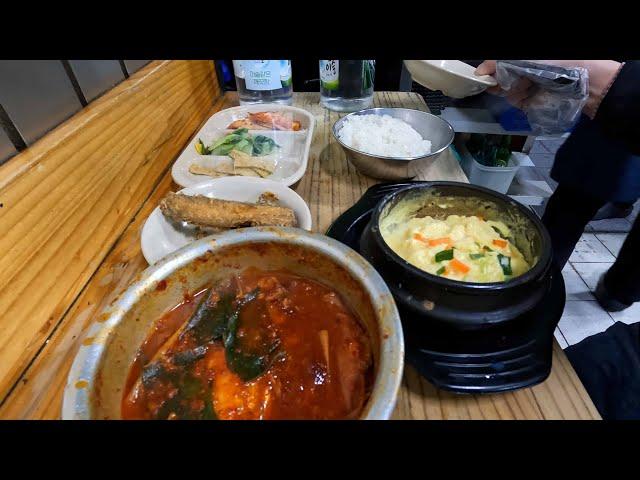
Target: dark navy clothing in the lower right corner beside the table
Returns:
[[608, 365]]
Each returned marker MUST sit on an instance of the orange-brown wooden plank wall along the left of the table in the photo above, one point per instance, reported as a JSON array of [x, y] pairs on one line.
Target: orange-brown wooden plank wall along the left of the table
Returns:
[[67, 199]]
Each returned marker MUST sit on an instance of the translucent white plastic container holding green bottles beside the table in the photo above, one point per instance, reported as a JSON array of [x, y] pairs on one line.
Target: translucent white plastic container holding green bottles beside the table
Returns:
[[495, 178]]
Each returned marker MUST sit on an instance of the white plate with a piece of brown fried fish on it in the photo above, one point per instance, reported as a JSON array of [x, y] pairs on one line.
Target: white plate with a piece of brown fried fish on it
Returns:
[[218, 205]]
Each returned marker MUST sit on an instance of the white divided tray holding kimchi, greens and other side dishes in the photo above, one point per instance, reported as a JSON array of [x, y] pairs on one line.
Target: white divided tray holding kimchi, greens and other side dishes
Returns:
[[269, 141]]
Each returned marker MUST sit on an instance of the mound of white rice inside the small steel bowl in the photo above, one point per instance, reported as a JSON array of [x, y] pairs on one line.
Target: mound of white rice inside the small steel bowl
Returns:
[[383, 135]]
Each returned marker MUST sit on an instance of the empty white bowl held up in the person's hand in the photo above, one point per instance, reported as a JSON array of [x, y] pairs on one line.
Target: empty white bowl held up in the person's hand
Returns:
[[454, 78]]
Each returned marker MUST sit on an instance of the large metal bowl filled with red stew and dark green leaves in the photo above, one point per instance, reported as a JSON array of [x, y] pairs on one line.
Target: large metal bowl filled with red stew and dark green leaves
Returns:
[[256, 323]]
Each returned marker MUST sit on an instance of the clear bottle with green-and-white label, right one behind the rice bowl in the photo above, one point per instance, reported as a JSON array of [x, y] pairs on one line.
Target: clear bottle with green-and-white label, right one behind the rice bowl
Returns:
[[346, 85]]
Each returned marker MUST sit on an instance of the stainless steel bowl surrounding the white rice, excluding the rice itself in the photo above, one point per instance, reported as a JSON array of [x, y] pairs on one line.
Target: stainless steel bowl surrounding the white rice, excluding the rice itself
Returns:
[[433, 128]]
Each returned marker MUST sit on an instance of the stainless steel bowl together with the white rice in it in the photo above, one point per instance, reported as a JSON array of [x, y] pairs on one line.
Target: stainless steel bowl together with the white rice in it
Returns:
[[389, 143]]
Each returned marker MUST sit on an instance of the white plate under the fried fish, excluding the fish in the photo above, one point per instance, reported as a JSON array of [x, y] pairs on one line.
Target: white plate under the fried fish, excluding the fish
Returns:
[[160, 236]]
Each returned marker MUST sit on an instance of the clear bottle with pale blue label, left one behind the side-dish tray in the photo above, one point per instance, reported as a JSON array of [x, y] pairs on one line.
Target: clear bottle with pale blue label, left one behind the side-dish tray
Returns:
[[263, 81]]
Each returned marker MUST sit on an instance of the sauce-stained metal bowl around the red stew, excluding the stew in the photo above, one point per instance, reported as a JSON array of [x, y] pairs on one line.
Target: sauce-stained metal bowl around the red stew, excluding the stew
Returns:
[[95, 383]]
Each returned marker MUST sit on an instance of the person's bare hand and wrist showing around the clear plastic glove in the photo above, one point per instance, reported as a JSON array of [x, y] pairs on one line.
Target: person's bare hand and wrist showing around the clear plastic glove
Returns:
[[601, 75]]
